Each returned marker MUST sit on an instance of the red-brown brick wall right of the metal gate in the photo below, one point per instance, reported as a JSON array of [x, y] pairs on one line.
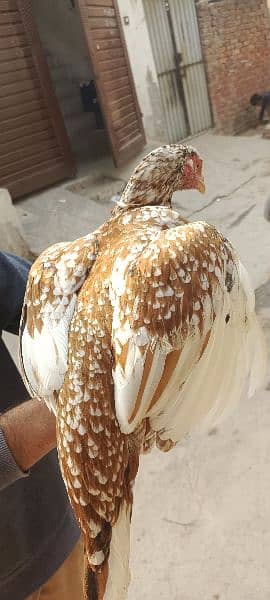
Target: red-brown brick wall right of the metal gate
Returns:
[[235, 38]]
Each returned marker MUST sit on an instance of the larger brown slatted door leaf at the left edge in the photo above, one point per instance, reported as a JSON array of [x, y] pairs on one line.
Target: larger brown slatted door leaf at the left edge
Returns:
[[34, 147]]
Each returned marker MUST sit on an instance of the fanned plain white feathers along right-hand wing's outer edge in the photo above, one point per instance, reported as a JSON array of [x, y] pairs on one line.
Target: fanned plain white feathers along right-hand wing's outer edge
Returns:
[[235, 356]]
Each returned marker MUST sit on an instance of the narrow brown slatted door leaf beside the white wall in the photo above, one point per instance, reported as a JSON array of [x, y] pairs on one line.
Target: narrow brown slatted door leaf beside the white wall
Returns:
[[113, 78]]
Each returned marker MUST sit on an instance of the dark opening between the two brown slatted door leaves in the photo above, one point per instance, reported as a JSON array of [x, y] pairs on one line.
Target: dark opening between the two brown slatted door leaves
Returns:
[[63, 40]]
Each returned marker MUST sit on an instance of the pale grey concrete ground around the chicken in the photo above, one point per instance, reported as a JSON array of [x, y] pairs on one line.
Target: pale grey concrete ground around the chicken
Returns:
[[201, 523]]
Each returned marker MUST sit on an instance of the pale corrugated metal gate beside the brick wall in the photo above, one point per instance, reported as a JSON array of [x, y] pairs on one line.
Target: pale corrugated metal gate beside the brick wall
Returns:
[[175, 40]]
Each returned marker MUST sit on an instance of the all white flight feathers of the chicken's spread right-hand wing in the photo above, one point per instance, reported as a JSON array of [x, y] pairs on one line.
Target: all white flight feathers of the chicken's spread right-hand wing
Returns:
[[203, 388]]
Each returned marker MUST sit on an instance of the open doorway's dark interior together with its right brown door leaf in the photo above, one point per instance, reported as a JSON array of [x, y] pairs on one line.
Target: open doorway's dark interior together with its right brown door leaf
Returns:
[[85, 45]]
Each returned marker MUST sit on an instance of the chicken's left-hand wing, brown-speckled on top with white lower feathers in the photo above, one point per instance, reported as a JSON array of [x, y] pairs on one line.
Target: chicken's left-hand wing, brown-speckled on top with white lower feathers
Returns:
[[50, 300]]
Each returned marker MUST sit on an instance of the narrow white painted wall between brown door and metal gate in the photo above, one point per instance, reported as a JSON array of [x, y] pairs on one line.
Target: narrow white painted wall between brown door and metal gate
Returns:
[[143, 68]]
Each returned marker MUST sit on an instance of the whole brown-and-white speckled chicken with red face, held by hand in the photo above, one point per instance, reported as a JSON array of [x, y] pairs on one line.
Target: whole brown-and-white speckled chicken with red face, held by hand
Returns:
[[135, 335]]
